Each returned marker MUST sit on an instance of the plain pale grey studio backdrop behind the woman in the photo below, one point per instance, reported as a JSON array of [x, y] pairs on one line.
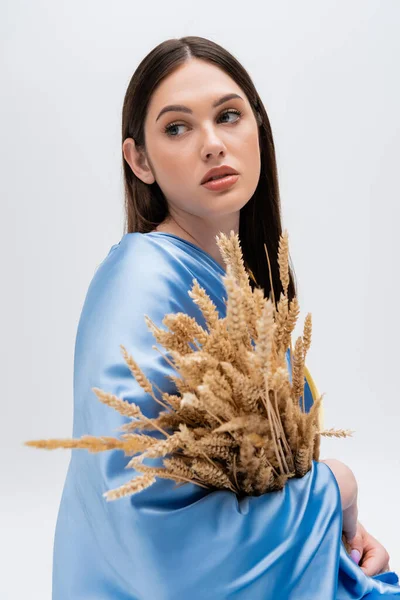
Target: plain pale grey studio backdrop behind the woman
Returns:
[[328, 75]]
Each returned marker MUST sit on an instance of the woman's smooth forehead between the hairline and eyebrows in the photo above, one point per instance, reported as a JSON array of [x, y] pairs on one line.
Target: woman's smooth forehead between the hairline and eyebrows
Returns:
[[196, 84]]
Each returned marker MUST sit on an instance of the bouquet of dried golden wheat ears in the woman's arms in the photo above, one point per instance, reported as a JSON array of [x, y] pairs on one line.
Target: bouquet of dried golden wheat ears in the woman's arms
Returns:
[[237, 421]]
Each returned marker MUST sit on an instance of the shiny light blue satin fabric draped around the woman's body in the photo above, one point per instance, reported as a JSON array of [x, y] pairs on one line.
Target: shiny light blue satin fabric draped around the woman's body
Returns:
[[169, 542]]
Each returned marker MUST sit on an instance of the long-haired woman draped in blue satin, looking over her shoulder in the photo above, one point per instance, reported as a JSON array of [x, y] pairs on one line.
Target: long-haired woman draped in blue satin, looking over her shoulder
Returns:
[[189, 108]]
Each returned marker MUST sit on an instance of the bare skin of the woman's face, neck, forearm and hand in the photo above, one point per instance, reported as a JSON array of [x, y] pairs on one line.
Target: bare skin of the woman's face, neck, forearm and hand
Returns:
[[178, 161]]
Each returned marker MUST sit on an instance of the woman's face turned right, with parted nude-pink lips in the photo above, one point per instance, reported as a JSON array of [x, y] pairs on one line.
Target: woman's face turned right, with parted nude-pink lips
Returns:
[[181, 146]]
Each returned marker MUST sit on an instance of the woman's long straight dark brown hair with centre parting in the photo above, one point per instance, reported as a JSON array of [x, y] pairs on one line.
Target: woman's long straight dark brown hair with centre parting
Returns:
[[146, 206]]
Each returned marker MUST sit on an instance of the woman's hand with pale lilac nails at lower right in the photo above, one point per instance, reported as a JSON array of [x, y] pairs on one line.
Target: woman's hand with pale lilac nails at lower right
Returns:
[[374, 557]]
